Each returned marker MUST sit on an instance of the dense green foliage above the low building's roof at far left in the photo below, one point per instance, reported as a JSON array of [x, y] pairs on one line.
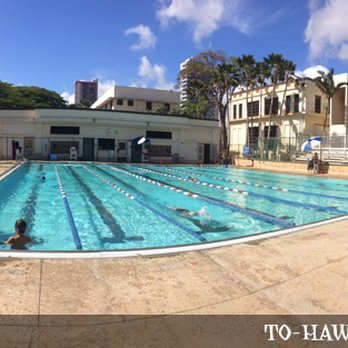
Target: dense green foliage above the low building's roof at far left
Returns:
[[23, 97]]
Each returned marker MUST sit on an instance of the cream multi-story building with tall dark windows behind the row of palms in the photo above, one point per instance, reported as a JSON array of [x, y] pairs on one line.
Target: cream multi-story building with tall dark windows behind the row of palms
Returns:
[[298, 109]]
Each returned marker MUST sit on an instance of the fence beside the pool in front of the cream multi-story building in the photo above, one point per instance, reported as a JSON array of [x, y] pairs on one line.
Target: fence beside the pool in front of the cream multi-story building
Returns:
[[333, 148]]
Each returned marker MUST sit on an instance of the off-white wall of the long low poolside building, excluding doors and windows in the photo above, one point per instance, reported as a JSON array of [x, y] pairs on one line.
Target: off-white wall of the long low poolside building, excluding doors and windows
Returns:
[[186, 133]]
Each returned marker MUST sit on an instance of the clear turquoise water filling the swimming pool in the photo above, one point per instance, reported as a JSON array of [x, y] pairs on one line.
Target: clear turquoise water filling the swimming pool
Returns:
[[118, 207]]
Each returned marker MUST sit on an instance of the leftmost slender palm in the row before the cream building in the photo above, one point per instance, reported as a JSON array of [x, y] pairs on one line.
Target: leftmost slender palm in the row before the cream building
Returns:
[[247, 69]]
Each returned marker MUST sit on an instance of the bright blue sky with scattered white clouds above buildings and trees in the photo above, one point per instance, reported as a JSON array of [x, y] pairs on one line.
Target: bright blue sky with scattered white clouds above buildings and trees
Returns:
[[52, 43]]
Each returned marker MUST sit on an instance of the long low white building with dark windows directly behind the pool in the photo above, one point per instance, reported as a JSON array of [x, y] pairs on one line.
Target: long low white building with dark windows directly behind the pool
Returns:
[[107, 135]]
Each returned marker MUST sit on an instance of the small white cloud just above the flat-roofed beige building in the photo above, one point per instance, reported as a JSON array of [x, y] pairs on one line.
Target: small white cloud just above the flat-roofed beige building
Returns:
[[153, 73]]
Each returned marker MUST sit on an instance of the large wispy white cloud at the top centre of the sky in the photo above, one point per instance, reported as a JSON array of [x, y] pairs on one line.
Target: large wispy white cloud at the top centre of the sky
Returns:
[[204, 17]]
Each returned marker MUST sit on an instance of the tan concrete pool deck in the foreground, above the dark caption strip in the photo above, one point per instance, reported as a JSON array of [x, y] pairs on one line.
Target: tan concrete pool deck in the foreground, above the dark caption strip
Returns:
[[304, 272]]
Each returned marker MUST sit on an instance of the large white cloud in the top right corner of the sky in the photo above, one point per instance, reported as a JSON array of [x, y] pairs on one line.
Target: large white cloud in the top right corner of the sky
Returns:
[[327, 30]]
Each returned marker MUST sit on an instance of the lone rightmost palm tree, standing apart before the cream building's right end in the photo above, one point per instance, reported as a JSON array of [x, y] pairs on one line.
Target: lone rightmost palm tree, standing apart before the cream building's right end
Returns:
[[325, 82]]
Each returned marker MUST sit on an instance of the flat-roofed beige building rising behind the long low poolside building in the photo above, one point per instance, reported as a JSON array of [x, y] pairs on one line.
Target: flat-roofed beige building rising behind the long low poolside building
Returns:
[[138, 99]]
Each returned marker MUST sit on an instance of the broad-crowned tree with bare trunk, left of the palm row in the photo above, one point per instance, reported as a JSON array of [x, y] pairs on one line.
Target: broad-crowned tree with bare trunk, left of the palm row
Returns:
[[215, 76]]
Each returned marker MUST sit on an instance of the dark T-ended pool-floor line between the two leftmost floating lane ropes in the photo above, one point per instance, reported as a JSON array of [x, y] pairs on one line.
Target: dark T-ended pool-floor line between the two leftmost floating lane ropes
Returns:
[[118, 234]]
